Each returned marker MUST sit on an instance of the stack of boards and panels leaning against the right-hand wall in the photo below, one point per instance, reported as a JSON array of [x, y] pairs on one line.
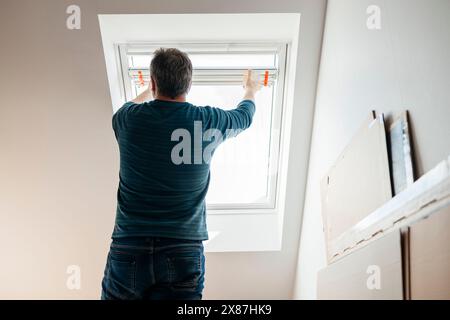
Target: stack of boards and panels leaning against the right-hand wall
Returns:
[[380, 247]]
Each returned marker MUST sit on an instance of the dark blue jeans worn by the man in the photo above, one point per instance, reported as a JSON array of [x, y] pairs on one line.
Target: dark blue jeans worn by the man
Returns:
[[154, 268]]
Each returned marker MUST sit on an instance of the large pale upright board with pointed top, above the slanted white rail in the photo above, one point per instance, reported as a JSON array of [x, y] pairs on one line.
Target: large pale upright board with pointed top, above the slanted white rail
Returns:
[[359, 182]]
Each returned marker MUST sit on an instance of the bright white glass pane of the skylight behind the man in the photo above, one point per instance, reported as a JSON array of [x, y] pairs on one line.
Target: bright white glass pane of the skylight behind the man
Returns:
[[240, 166]]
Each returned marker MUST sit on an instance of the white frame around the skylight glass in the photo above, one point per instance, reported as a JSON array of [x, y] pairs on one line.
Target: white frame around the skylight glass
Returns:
[[223, 77]]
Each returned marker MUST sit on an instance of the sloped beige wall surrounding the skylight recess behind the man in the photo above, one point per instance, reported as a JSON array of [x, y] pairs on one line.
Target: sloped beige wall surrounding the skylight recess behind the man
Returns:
[[59, 160]]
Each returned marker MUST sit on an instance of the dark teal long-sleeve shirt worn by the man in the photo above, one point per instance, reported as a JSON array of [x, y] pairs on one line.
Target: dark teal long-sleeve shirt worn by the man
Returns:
[[163, 177]]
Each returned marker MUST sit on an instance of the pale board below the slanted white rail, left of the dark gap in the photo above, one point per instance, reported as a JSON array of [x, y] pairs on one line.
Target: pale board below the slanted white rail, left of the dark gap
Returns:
[[352, 276]]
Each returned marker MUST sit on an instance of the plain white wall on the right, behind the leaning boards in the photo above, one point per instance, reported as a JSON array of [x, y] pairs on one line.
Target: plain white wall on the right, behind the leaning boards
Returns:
[[405, 65]]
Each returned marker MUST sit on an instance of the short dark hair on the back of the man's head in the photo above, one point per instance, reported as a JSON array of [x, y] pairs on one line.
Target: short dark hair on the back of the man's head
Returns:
[[172, 71]]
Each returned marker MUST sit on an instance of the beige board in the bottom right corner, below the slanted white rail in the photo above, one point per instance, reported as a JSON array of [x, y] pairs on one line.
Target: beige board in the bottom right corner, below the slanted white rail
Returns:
[[430, 257]]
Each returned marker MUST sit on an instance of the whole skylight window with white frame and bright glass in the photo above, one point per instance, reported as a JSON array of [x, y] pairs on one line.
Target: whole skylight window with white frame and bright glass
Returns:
[[243, 169]]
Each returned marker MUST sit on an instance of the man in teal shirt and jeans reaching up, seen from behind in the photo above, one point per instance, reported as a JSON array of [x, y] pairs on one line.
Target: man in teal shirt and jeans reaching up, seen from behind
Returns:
[[157, 250]]
